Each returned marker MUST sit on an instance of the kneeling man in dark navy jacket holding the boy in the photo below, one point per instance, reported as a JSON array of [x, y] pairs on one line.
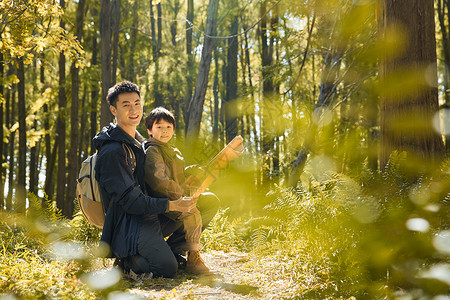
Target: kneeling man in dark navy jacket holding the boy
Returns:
[[134, 229]]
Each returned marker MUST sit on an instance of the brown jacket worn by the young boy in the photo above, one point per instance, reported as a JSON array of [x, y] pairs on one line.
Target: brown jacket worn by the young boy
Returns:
[[164, 170]]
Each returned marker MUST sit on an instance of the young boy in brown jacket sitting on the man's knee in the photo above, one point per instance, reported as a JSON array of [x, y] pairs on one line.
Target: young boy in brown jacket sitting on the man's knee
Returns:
[[164, 175]]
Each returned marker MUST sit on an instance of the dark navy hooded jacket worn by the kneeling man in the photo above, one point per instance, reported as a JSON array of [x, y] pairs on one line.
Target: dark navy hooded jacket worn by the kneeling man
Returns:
[[122, 190]]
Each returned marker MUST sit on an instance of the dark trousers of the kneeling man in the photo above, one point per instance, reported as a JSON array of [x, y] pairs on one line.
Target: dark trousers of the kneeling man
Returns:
[[155, 254]]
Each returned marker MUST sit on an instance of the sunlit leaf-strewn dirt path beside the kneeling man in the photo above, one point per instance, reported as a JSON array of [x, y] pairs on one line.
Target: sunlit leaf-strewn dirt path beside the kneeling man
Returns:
[[236, 275]]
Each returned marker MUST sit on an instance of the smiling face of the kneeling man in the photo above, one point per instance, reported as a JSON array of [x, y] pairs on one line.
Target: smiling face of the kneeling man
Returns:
[[128, 110]]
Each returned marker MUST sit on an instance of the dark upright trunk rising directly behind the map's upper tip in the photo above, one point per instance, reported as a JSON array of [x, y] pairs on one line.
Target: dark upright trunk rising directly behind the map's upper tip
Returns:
[[230, 106]]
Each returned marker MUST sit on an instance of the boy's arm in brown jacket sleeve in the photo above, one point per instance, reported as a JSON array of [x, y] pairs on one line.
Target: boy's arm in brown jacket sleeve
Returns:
[[156, 177]]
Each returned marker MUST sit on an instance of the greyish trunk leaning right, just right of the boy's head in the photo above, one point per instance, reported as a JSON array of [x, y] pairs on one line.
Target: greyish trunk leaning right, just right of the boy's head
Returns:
[[196, 107]]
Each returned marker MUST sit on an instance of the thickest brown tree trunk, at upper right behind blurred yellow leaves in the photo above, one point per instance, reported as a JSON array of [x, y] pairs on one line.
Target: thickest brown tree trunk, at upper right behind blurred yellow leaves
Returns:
[[406, 115]]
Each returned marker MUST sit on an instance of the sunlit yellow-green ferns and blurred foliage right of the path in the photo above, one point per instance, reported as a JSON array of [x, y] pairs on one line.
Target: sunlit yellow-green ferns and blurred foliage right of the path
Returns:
[[383, 235]]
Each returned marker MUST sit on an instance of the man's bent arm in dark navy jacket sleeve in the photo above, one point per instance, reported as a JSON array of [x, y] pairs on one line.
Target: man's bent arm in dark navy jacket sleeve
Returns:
[[117, 180]]
